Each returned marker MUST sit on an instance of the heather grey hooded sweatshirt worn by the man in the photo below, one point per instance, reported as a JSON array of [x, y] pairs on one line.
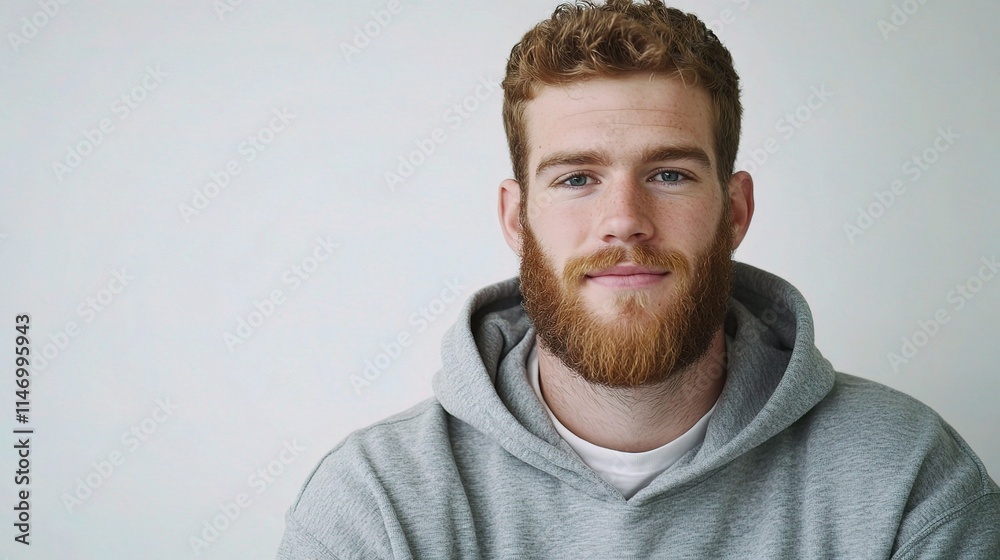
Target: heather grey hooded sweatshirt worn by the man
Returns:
[[799, 461]]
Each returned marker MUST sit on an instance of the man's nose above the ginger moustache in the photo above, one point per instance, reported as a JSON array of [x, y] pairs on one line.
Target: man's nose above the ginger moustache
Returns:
[[625, 213]]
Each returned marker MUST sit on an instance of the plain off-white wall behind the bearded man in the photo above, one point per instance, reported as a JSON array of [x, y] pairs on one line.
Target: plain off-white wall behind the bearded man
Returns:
[[63, 235]]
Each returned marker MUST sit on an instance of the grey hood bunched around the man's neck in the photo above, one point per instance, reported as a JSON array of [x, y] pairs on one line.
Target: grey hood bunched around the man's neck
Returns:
[[775, 375]]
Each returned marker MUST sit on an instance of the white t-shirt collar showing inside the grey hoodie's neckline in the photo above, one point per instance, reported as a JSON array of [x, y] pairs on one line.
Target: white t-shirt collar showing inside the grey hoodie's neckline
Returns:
[[628, 472]]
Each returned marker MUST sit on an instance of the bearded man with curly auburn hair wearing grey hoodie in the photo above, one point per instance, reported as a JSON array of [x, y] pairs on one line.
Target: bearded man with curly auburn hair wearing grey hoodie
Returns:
[[635, 393]]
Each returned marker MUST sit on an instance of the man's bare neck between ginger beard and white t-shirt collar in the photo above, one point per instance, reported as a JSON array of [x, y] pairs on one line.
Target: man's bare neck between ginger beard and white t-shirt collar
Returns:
[[633, 419]]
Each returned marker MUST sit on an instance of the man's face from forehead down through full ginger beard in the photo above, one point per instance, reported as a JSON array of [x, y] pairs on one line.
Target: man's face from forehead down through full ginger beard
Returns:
[[625, 235]]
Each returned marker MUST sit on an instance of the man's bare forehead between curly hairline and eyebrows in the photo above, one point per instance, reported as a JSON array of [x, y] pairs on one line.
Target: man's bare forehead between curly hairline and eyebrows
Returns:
[[617, 115]]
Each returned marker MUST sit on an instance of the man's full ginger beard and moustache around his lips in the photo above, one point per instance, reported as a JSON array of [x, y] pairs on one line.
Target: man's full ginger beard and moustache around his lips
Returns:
[[644, 343]]
